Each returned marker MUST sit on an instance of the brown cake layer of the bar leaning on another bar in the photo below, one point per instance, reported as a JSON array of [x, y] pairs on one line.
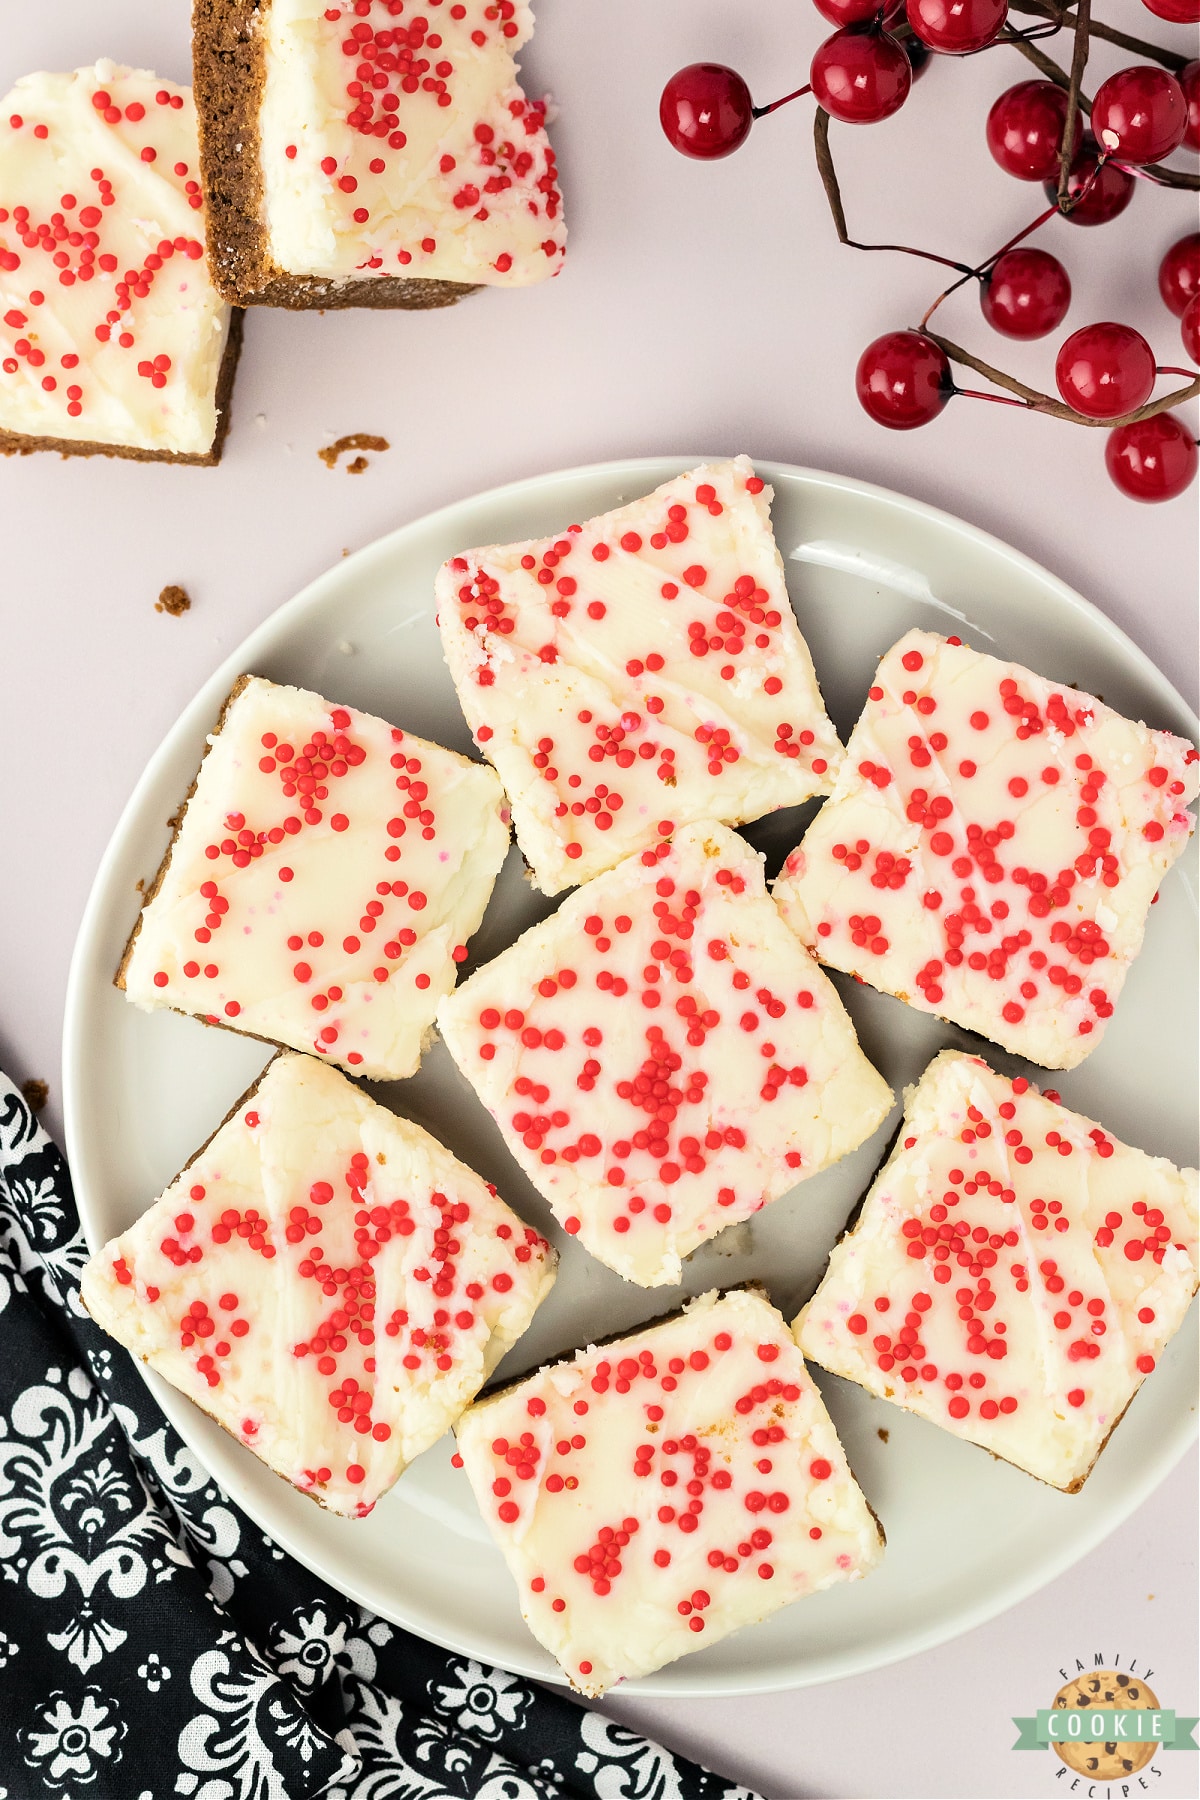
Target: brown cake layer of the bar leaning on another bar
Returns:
[[229, 78]]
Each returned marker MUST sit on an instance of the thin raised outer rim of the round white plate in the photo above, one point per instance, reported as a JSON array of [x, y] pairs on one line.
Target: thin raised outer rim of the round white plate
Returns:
[[202, 708]]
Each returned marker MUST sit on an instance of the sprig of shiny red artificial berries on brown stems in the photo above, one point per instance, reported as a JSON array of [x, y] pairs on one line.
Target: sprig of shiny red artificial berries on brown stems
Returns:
[[1106, 373]]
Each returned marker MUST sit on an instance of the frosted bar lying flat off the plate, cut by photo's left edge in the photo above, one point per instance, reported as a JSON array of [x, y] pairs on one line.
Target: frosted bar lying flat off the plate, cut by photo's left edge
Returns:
[[112, 337]]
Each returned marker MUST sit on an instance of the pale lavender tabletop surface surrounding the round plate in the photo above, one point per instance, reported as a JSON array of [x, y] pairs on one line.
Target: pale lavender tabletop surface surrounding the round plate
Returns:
[[701, 307]]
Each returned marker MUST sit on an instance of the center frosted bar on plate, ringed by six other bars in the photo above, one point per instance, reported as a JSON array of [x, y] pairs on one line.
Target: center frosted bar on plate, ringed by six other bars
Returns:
[[663, 1056]]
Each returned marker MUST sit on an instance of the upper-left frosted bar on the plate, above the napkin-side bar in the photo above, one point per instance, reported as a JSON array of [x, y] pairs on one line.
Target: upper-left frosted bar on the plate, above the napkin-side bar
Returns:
[[321, 885]]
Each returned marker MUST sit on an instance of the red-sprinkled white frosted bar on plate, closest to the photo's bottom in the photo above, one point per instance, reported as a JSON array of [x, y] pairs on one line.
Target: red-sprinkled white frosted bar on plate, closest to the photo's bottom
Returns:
[[656, 1495]]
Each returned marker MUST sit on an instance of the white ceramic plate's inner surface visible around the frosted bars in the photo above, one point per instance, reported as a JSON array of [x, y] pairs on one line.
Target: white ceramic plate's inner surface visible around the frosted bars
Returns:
[[967, 1536]]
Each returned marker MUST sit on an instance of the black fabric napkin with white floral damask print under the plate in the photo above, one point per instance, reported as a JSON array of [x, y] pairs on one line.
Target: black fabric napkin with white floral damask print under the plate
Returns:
[[156, 1644]]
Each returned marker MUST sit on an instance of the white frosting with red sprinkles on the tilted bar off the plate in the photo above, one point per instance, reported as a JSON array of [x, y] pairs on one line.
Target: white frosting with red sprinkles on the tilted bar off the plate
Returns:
[[400, 145]]
